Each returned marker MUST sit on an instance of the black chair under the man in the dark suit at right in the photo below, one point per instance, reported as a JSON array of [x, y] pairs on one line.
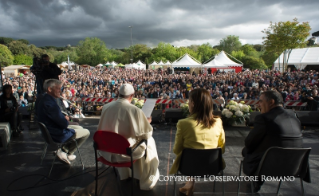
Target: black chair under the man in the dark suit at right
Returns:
[[282, 162]]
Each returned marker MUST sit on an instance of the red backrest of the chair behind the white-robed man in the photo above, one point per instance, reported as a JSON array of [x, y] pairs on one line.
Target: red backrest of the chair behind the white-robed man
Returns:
[[110, 142]]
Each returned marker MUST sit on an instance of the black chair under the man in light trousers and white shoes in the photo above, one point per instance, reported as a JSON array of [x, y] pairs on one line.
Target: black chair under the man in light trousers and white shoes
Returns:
[[48, 141]]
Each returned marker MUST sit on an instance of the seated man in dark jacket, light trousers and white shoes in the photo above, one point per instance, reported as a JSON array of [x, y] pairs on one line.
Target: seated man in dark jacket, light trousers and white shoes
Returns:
[[49, 113]]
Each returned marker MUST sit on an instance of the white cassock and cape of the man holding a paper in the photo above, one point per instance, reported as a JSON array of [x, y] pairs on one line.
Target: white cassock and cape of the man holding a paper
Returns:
[[129, 121]]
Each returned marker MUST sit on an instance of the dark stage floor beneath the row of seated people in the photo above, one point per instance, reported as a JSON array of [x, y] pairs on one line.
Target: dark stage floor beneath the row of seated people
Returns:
[[22, 160]]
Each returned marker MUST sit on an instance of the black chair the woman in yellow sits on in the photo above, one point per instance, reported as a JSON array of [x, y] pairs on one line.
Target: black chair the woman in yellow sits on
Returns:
[[200, 162]]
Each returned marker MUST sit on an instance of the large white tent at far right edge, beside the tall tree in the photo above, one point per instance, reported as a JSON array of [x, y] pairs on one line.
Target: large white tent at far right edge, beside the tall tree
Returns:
[[300, 58]]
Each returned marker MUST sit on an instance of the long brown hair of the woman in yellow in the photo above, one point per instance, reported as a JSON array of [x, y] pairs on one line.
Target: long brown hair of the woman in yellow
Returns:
[[203, 107]]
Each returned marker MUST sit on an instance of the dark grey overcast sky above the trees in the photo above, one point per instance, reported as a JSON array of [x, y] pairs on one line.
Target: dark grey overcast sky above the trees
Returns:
[[178, 22]]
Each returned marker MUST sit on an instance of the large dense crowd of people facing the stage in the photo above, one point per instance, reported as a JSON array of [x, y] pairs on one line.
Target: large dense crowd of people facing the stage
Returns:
[[105, 82]]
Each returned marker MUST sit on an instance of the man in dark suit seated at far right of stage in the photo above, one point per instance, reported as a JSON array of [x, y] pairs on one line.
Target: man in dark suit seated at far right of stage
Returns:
[[273, 127]]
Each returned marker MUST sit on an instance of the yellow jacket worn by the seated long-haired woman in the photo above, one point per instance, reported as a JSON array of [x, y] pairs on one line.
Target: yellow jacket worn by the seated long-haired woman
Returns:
[[188, 135]]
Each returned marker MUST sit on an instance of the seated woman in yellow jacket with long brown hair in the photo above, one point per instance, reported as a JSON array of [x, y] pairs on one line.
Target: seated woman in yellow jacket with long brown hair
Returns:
[[201, 130]]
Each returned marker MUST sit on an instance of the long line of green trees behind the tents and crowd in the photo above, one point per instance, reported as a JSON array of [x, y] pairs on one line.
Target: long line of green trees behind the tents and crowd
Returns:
[[93, 51]]
